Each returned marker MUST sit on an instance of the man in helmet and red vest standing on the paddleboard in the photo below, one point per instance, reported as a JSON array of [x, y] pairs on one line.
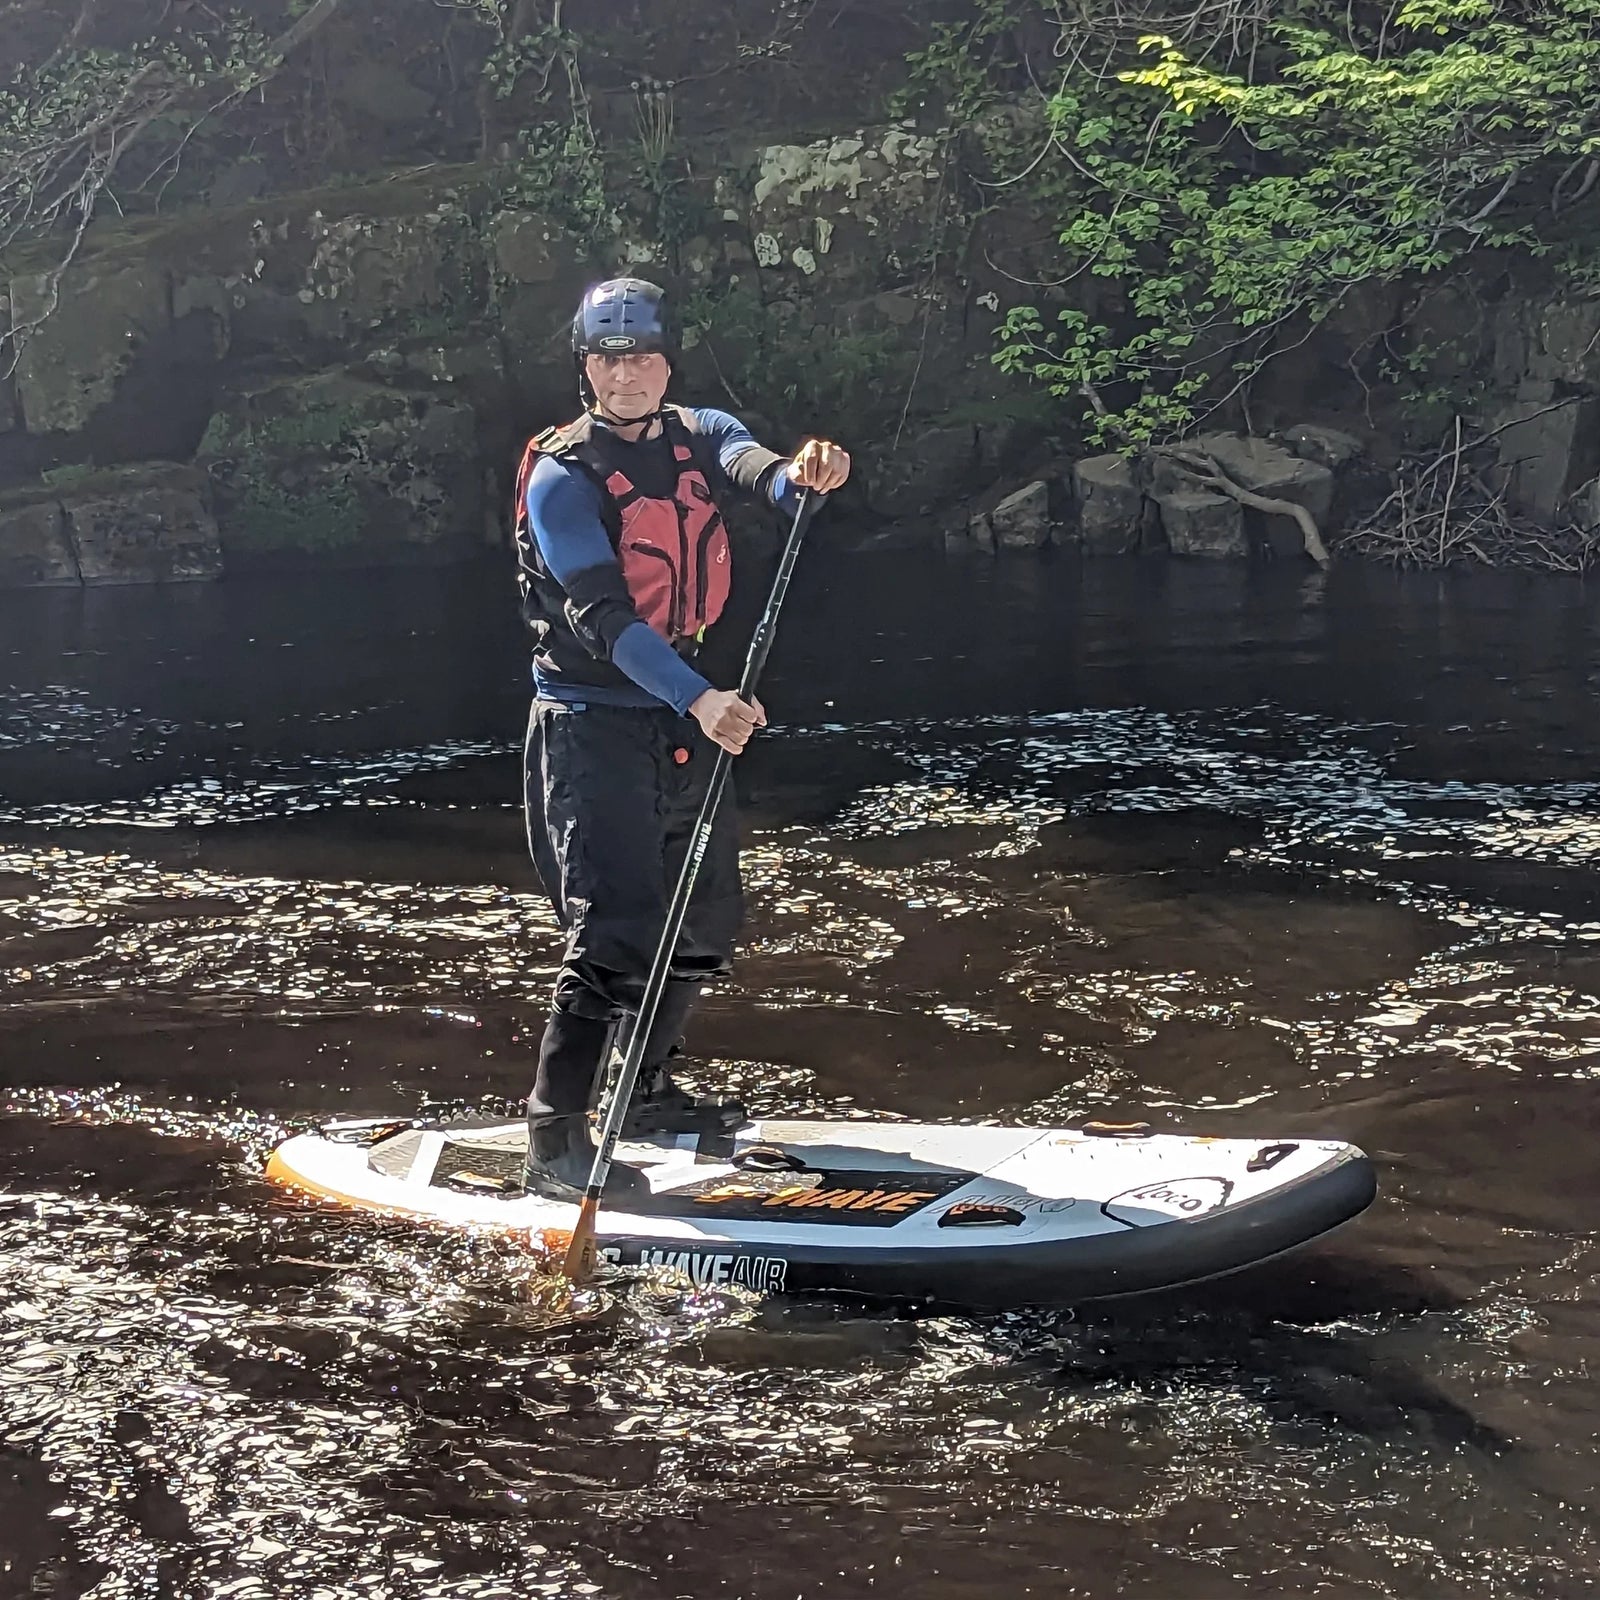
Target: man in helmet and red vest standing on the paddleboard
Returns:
[[625, 564]]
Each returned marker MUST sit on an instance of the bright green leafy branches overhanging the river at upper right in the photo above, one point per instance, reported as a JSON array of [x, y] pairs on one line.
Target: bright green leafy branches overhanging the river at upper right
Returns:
[[1215, 212]]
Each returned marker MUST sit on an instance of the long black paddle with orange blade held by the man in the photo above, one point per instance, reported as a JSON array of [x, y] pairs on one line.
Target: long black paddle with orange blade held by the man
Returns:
[[578, 1262]]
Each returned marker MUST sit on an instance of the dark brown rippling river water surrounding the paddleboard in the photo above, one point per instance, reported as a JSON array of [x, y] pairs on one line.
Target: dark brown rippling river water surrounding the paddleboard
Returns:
[[1233, 852]]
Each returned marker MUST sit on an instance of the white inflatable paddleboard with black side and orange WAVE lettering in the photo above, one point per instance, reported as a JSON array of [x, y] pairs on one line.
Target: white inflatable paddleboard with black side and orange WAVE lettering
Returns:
[[962, 1215]]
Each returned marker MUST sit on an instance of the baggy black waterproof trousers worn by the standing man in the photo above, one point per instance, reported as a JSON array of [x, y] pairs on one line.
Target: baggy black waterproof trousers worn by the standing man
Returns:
[[610, 801]]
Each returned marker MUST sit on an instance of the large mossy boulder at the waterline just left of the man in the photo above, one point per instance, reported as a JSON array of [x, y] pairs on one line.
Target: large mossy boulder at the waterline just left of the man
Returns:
[[343, 471]]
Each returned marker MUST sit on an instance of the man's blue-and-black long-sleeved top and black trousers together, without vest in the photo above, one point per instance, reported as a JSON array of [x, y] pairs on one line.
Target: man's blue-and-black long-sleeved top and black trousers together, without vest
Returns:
[[614, 775]]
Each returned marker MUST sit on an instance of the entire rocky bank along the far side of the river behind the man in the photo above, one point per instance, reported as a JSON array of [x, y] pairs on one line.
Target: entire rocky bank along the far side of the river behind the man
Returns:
[[353, 367]]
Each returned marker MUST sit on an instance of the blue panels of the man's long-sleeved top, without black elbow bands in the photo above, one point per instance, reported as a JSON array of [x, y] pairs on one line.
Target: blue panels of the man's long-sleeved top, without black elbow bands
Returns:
[[566, 522]]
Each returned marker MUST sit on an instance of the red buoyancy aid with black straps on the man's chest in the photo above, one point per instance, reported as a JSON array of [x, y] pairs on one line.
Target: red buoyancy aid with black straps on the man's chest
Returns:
[[674, 553]]
